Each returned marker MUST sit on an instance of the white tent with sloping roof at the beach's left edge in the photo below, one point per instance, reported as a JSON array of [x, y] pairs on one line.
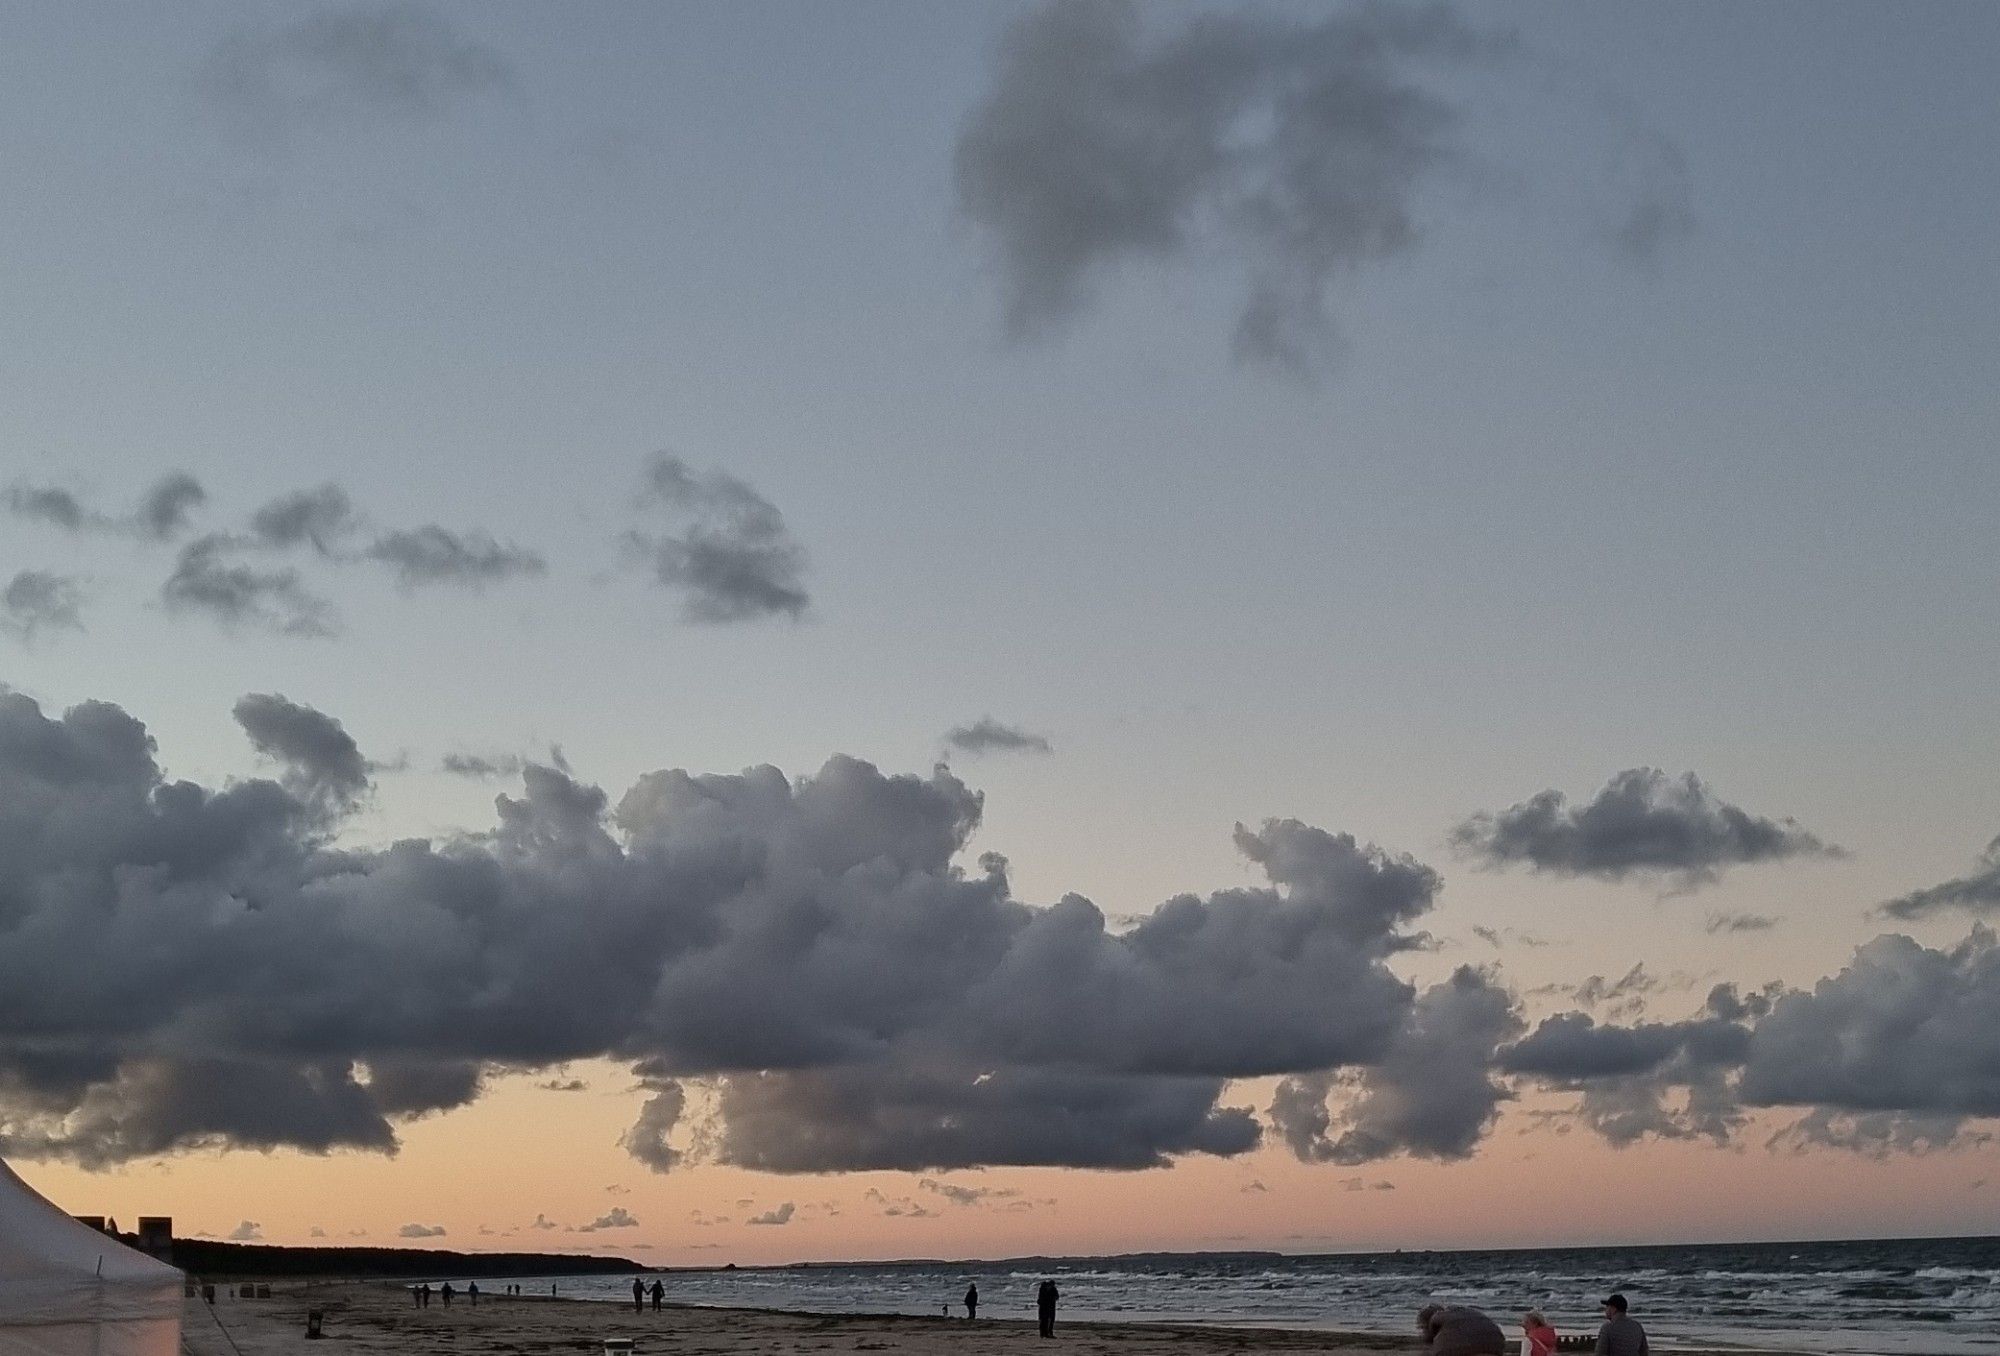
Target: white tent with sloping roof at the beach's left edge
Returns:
[[71, 1291]]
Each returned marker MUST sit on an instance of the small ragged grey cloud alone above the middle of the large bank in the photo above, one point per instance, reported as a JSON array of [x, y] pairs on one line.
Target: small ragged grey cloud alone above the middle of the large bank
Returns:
[[731, 557]]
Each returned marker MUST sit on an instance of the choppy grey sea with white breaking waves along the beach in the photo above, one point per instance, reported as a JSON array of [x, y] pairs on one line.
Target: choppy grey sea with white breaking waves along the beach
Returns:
[[1885, 1297]]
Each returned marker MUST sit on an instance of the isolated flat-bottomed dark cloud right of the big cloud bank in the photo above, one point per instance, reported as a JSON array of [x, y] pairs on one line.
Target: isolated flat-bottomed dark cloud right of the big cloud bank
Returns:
[[1641, 825]]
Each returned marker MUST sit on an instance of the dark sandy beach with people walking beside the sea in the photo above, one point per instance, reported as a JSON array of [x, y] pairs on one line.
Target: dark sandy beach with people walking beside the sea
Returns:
[[365, 1319]]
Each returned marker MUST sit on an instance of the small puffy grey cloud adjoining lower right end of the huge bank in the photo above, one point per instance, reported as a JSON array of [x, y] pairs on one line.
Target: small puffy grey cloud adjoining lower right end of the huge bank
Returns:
[[1433, 1095]]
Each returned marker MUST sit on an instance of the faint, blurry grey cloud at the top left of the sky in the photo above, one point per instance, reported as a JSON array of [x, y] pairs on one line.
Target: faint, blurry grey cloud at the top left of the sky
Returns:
[[387, 61]]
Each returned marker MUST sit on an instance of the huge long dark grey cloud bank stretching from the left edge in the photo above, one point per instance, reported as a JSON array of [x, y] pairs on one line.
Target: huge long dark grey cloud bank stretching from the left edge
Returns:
[[191, 967]]
